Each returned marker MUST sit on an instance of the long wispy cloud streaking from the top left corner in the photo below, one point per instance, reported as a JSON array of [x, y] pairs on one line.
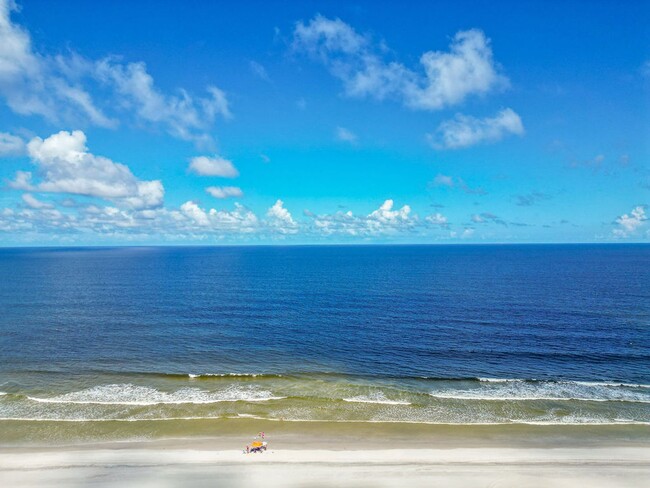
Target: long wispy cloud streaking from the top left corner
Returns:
[[60, 89]]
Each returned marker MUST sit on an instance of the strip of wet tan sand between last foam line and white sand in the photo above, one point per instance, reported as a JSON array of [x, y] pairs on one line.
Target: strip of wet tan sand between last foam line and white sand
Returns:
[[229, 433]]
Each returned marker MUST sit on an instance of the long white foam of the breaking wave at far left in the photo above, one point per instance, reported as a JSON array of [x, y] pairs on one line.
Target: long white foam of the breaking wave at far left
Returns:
[[128, 394]]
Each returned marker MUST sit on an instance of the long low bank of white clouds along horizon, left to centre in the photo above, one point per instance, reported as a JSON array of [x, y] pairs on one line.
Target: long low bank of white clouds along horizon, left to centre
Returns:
[[190, 221]]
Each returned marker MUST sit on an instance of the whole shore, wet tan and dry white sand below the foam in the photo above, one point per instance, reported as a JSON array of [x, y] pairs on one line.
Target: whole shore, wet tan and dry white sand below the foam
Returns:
[[203, 453]]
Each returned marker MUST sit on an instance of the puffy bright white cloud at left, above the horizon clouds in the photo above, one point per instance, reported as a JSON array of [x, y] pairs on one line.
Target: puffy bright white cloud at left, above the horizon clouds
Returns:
[[65, 166]]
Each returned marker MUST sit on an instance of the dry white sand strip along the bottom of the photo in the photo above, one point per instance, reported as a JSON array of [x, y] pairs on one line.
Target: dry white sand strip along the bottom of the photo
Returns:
[[172, 464]]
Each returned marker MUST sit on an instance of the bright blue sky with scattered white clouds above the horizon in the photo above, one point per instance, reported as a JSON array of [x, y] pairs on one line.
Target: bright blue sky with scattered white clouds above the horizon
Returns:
[[317, 122]]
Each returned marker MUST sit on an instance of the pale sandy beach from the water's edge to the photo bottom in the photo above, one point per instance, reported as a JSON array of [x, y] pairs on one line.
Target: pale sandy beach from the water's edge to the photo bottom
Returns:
[[441, 456]]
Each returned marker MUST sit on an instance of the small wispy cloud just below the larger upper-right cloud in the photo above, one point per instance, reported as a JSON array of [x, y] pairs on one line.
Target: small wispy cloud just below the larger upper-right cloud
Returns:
[[464, 131]]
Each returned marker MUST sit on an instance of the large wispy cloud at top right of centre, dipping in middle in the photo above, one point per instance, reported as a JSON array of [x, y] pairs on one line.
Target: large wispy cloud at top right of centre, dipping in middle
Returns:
[[445, 78]]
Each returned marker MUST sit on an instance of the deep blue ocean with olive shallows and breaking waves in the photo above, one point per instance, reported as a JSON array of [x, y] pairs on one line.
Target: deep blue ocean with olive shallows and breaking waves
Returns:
[[118, 342]]
